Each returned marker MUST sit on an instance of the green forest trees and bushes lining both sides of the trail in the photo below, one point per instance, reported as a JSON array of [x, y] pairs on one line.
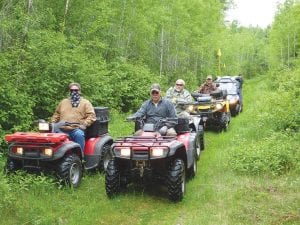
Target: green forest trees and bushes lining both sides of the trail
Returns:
[[116, 49]]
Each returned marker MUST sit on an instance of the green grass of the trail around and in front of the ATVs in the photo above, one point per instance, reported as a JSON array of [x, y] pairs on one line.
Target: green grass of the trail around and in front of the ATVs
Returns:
[[217, 195]]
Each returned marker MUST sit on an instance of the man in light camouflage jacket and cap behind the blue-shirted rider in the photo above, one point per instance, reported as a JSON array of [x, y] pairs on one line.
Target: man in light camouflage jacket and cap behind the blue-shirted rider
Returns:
[[178, 94]]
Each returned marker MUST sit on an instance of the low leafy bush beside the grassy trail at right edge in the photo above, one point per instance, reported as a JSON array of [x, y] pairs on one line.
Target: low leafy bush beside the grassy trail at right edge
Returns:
[[271, 155]]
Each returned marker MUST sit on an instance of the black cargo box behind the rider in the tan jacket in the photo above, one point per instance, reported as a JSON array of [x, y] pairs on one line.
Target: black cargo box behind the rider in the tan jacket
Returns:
[[100, 126]]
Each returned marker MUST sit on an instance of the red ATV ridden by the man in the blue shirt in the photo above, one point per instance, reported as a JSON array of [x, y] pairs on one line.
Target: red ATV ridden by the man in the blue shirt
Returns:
[[150, 156]]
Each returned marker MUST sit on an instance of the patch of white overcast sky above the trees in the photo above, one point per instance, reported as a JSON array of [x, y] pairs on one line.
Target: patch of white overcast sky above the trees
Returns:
[[253, 12]]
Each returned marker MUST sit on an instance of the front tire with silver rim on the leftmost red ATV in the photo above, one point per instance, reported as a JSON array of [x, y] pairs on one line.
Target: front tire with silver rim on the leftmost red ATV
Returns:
[[69, 170]]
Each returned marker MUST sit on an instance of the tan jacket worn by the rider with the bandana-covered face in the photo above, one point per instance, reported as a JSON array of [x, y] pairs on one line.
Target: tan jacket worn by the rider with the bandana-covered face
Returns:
[[84, 114]]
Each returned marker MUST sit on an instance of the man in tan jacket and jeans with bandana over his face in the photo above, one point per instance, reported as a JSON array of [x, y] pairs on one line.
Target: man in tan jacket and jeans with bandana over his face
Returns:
[[75, 110]]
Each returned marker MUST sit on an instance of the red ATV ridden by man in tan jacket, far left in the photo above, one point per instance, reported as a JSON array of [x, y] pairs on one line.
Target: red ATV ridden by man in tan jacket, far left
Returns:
[[48, 151]]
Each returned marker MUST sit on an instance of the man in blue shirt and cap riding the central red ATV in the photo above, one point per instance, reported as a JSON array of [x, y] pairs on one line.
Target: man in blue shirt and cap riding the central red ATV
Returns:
[[157, 108]]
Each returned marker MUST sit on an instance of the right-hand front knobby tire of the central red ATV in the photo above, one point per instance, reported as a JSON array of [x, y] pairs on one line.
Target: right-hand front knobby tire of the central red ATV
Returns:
[[176, 180]]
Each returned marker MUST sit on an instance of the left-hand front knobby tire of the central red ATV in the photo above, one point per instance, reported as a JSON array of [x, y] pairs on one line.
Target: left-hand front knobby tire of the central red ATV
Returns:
[[112, 179]]
